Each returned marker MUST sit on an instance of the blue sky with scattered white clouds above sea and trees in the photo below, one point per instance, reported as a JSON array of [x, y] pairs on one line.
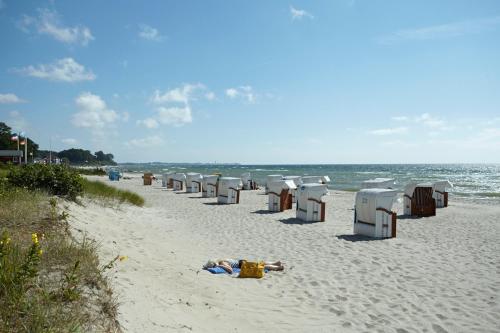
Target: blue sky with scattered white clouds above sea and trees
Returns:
[[264, 82]]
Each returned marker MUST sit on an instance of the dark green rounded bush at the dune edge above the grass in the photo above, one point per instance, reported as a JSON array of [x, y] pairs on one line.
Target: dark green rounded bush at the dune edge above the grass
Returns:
[[55, 179]]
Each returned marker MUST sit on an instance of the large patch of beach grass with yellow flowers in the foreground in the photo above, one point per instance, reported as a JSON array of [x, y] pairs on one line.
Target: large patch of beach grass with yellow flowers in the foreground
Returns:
[[49, 282]]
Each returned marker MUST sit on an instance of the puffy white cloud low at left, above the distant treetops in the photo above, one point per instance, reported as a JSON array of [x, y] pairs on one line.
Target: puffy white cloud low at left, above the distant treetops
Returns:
[[93, 112]]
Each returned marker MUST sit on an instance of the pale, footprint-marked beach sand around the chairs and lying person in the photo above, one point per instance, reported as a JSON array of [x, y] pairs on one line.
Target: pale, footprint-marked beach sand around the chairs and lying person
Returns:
[[441, 274]]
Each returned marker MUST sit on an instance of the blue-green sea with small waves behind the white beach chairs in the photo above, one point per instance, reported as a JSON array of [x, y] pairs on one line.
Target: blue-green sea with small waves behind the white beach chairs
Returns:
[[478, 182]]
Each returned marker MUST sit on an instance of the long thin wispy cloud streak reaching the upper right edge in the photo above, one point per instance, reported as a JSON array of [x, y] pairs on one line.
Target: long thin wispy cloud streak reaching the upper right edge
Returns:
[[448, 30]]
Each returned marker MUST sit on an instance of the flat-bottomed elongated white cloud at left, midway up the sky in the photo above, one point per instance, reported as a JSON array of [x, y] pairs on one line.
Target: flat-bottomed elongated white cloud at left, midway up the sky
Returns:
[[65, 70]]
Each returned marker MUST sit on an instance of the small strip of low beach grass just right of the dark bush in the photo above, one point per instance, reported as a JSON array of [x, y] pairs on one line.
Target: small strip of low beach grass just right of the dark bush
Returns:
[[97, 189]]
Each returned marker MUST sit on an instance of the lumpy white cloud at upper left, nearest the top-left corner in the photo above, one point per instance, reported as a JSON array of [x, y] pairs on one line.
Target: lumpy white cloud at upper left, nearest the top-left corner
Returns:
[[48, 22]]
